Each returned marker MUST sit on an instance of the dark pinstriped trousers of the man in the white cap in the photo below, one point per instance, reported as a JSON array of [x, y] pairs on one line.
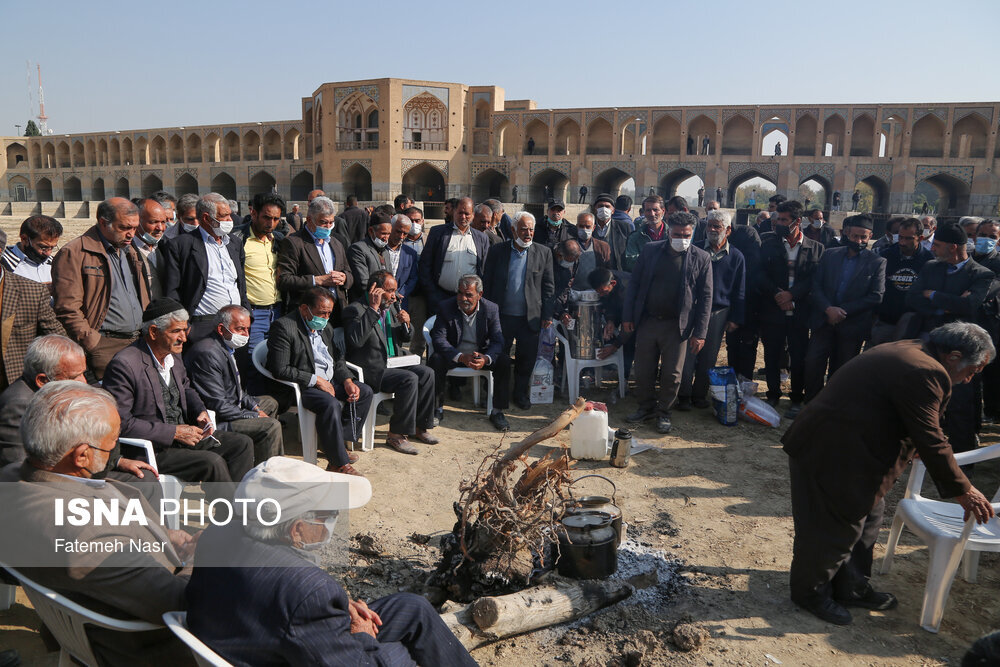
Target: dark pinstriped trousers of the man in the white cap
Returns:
[[410, 622]]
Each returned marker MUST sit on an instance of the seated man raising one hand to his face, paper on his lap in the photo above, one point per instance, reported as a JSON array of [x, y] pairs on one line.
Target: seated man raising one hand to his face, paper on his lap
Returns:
[[375, 329]]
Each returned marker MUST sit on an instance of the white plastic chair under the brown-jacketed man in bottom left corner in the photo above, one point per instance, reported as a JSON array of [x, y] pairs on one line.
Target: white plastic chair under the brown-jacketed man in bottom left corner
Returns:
[[67, 620]]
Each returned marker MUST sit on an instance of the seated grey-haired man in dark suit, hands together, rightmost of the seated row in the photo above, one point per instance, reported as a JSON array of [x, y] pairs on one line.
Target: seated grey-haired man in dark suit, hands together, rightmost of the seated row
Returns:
[[467, 334]]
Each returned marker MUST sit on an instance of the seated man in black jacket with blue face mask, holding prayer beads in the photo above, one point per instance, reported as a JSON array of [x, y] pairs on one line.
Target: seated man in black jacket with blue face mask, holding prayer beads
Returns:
[[301, 349]]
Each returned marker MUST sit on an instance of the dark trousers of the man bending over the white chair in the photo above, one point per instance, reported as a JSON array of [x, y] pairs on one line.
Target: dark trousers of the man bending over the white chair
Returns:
[[831, 554]]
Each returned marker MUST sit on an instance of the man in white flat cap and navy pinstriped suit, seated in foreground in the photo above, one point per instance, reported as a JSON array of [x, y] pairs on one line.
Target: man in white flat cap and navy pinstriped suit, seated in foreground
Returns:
[[258, 595]]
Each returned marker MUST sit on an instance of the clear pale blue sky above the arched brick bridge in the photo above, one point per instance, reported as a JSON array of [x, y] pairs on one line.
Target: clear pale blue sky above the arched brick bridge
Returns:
[[122, 65]]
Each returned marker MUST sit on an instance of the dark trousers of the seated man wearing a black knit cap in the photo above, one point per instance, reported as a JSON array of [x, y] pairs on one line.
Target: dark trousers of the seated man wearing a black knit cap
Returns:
[[208, 461]]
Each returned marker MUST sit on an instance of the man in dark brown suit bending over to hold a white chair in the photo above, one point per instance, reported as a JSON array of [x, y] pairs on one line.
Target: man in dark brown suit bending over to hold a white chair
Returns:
[[849, 446]]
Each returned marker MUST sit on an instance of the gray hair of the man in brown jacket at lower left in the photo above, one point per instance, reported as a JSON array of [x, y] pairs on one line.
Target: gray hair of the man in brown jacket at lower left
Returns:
[[62, 415]]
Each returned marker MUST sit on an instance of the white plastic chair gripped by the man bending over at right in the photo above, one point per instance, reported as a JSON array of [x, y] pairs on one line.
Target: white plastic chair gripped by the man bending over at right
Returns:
[[948, 537]]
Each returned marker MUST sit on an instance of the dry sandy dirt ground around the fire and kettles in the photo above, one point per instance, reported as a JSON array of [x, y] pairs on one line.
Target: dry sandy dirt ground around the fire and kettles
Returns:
[[713, 499]]
